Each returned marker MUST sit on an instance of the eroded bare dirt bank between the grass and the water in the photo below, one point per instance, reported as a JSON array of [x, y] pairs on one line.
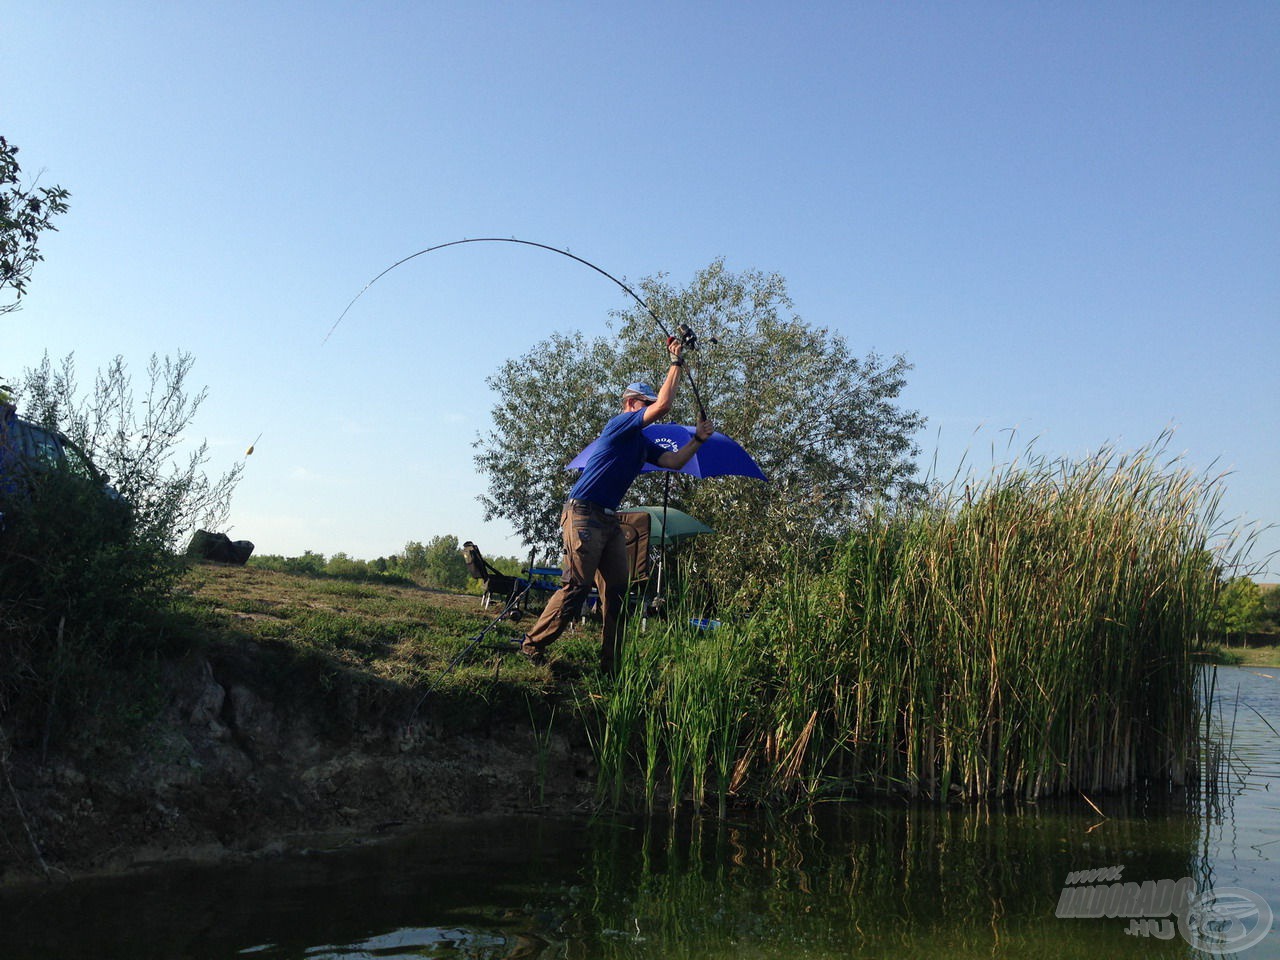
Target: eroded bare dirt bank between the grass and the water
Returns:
[[248, 761]]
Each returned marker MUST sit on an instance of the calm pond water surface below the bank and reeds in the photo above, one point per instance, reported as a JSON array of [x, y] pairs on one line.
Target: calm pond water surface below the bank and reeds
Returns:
[[849, 881]]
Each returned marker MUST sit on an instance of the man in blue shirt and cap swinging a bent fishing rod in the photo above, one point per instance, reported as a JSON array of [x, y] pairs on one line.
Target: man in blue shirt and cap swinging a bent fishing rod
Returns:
[[595, 542]]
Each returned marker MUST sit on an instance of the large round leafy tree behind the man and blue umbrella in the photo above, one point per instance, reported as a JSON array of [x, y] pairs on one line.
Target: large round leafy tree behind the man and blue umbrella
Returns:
[[824, 424]]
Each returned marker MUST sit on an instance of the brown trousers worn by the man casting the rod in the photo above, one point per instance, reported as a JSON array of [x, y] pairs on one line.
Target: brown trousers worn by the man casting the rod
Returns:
[[595, 550]]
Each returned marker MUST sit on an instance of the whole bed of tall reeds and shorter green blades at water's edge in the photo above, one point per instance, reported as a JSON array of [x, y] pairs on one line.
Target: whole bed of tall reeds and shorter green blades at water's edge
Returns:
[[1027, 636]]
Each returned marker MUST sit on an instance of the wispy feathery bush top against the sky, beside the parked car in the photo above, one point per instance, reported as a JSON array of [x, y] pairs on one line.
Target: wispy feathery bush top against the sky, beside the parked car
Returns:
[[139, 441]]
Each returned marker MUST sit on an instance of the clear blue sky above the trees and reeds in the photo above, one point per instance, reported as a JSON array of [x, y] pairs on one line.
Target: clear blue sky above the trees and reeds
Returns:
[[1064, 214]]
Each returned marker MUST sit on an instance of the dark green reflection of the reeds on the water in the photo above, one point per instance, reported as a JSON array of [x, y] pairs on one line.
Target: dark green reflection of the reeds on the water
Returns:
[[874, 883]]
